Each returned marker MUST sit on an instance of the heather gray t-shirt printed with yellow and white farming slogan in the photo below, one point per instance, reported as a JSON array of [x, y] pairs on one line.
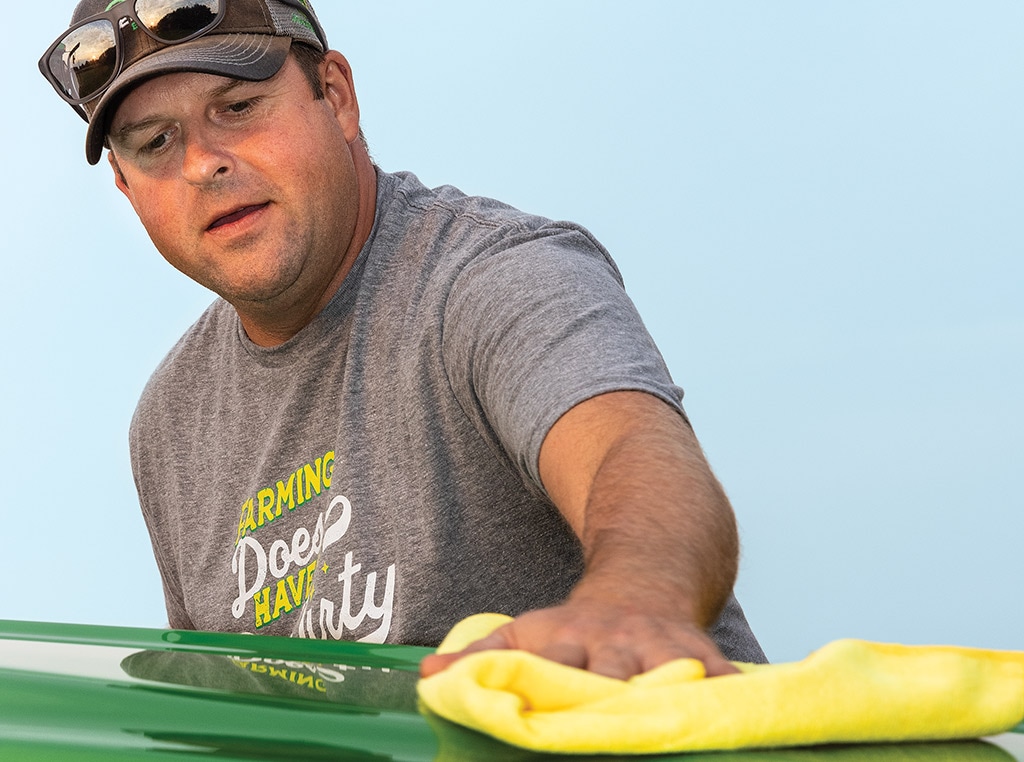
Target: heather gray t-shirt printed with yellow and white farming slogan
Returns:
[[376, 477]]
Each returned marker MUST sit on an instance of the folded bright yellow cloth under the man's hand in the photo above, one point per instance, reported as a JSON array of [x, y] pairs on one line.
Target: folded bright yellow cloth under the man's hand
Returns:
[[847, 692]]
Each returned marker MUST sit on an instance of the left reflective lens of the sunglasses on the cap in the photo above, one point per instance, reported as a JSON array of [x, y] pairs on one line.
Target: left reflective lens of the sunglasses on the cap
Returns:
[[84, 61]]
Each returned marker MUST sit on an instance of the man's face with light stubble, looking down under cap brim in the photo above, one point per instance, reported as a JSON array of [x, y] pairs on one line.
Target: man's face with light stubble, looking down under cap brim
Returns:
[[248, 188]]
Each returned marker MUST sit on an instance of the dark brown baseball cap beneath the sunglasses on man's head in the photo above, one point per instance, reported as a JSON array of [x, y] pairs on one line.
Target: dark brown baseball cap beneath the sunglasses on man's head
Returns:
[[250, 43]]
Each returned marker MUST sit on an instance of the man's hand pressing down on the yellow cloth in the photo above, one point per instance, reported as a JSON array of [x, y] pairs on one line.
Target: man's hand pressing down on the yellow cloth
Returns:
[[610, 641]]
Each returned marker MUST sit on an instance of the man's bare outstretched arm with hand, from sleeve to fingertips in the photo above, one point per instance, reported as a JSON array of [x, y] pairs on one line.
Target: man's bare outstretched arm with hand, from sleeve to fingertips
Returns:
[[659, 537]]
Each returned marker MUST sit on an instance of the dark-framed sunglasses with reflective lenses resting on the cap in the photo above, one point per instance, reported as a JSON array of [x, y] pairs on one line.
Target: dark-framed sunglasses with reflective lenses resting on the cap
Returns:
[[83, 63]]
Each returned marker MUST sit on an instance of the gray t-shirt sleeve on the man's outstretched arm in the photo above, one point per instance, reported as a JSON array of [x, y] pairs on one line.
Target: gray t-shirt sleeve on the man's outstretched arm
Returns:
[[538, 325]]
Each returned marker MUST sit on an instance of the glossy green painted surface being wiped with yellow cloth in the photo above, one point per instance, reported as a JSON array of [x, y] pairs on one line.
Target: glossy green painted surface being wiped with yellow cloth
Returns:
[[84, 694]]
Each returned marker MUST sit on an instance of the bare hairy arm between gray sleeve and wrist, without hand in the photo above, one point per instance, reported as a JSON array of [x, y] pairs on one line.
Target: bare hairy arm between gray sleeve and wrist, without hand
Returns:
[[656, 526]]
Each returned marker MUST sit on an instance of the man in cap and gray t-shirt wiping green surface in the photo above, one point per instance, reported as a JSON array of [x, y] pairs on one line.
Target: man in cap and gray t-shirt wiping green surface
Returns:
[[409, 405]]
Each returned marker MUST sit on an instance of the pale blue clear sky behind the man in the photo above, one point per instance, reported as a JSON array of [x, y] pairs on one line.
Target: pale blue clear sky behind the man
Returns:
[[818, 207]]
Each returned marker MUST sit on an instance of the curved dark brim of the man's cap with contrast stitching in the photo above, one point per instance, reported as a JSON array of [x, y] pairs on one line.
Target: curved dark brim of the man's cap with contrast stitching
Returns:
[[253, 58]]
